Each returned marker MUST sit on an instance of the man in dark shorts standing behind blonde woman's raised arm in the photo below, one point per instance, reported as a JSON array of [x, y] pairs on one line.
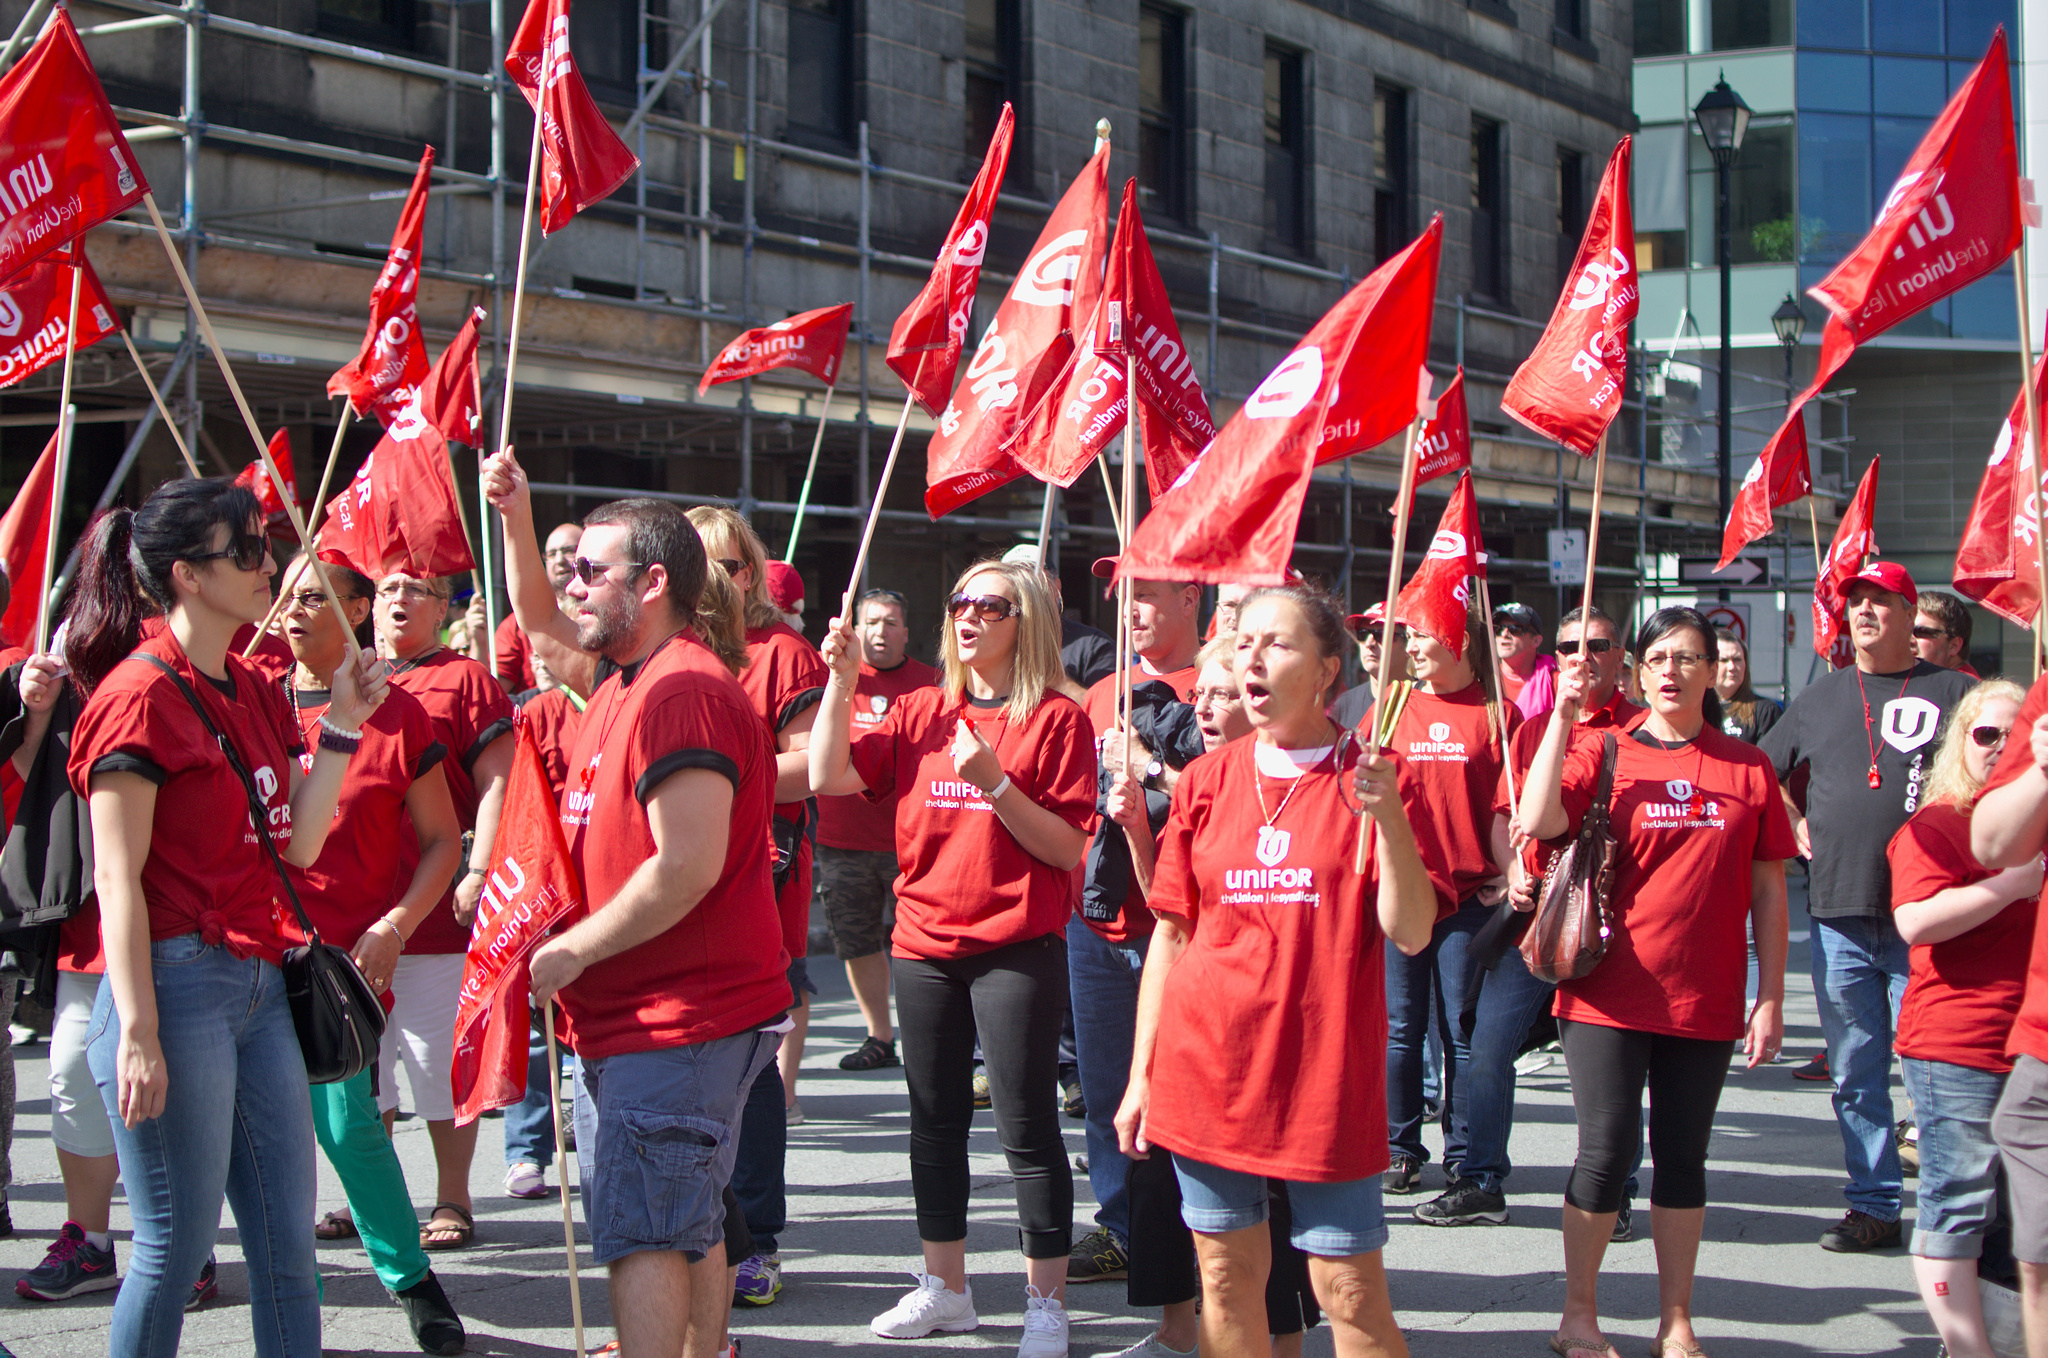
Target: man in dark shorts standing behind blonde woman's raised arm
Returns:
[[857, 861]]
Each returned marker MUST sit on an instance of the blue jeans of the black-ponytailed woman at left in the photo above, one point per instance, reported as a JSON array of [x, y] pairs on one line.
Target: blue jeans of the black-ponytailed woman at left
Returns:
[[239, 1123]]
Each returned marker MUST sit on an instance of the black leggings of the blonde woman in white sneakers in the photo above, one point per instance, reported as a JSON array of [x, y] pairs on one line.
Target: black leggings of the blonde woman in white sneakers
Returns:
[[1017, 1001]]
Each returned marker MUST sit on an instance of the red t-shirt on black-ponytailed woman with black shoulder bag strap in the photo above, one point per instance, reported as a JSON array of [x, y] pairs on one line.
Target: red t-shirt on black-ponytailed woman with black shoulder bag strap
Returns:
[[206, 872]]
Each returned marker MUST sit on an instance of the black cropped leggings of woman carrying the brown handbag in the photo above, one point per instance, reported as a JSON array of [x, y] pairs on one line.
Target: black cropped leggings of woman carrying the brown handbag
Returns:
[[1609, 1070]]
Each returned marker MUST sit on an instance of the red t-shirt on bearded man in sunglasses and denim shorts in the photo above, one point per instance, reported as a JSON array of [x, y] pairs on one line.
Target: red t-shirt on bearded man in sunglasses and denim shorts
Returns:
[[722, 968]]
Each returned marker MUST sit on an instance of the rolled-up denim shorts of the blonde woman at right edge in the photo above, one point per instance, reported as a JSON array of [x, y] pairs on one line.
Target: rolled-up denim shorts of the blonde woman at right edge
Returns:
[[1957, 1199]]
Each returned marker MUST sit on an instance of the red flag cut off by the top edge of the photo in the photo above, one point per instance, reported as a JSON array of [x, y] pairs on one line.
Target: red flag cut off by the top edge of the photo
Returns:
[[583, 159]]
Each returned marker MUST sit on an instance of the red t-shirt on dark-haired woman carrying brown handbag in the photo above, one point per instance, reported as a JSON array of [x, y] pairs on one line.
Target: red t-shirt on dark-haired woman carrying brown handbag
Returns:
[[1689, 822]]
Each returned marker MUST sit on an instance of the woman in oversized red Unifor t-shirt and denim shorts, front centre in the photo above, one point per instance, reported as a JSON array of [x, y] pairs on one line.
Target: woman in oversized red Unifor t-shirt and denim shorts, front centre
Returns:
[[1263, 1015]]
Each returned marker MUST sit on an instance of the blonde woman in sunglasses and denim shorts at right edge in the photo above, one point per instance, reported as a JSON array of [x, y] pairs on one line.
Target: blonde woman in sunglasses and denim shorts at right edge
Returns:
[[1971, 933]]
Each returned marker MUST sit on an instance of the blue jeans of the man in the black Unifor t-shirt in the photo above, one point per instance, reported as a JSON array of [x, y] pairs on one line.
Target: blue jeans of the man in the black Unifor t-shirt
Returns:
[[1859, 978]]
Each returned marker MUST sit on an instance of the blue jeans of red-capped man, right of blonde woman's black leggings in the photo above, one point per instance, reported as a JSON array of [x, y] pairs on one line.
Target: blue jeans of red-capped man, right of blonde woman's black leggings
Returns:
[[1103, 984]]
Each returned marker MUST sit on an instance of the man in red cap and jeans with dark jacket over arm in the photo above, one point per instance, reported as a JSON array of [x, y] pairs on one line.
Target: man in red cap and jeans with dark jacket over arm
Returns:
[[1105, 958]]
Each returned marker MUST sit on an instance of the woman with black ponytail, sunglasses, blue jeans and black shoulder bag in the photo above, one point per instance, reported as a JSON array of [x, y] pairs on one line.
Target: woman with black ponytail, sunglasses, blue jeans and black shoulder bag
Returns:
[[191, 1039]]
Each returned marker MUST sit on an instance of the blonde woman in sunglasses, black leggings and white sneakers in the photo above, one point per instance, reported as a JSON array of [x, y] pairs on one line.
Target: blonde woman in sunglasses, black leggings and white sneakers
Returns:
[[996, 773]]
